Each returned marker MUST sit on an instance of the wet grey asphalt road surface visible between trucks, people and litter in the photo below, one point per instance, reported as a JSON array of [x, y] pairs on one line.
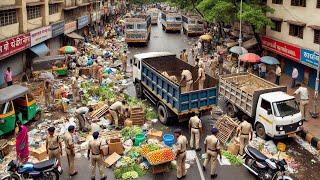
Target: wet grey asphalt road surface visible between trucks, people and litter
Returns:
[[173, 42]]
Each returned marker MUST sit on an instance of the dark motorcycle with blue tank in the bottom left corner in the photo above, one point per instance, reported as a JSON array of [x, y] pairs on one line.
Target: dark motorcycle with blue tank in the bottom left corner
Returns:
[[45, 170]]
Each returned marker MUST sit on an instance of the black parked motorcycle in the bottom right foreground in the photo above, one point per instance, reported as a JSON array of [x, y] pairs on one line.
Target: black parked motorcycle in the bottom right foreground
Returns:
[[263, 167]]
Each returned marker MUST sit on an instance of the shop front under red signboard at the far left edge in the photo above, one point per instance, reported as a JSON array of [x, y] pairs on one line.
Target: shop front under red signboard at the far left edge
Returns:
[[12, 54]]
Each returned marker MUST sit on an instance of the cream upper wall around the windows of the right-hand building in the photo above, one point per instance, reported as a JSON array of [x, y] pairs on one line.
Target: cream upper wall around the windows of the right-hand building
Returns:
[[309, 15]]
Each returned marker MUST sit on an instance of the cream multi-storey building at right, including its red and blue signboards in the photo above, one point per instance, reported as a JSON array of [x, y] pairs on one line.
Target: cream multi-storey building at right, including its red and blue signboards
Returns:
[[295, 37]]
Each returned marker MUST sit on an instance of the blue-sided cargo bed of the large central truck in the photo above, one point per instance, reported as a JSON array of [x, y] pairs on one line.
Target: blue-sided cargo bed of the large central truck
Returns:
[[169, 92]]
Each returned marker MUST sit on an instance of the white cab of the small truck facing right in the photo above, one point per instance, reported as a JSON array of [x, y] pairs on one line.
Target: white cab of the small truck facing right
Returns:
[[277, 115]]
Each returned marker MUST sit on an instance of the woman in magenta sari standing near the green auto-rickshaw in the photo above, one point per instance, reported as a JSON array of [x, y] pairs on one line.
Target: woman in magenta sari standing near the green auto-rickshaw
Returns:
[[22, 144]]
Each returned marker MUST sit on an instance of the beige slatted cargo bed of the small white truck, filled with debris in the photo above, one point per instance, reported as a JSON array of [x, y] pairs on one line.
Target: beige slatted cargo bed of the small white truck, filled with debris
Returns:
[[243, 90]]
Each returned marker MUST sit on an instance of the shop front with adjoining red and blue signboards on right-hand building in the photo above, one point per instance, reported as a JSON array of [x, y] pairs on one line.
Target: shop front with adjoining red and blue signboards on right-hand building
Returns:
[[291, 56]]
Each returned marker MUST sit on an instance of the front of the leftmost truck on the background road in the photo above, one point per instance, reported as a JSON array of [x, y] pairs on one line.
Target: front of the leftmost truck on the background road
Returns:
[[138, 29]]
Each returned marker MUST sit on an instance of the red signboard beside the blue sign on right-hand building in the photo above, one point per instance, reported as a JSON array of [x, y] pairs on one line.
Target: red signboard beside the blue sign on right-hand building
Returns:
[[282, 48]]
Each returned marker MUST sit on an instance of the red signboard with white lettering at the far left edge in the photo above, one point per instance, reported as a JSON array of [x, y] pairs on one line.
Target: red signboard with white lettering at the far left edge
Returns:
[[13, 45]]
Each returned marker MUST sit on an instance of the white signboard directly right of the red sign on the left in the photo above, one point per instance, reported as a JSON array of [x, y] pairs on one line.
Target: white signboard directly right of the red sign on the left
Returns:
[[40, 35]]
